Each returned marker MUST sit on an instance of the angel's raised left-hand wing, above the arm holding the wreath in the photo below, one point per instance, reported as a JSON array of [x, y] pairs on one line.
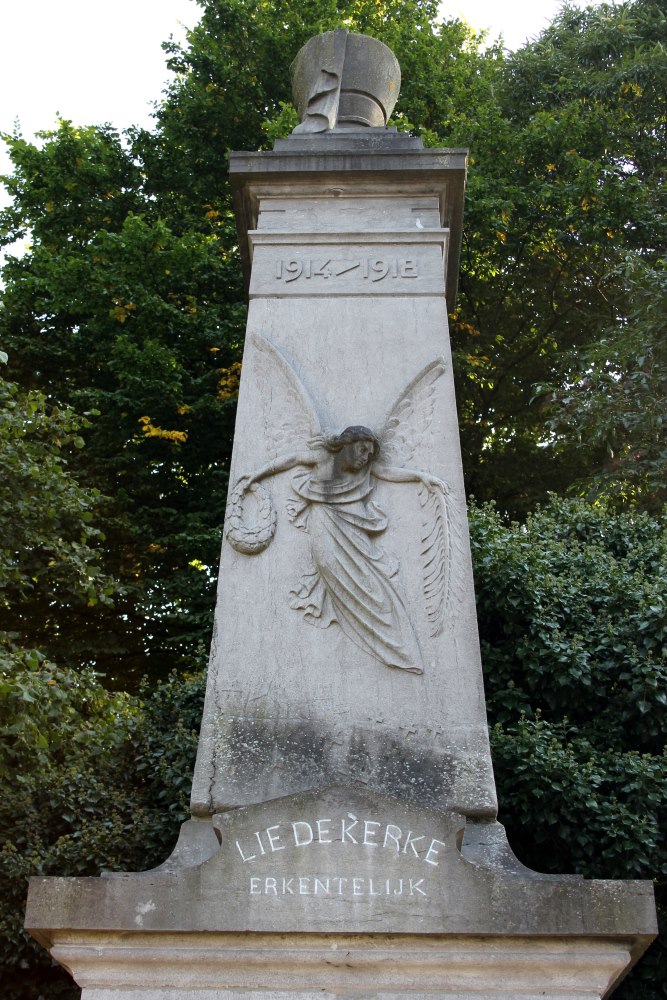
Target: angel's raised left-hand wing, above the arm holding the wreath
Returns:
[[300, 422]]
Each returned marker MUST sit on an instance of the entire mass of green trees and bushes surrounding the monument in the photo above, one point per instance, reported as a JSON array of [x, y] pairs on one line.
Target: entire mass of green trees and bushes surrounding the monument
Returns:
[[123, 322]]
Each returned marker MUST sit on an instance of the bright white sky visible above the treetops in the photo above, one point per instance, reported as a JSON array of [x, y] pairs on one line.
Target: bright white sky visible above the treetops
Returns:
[[95, 61]]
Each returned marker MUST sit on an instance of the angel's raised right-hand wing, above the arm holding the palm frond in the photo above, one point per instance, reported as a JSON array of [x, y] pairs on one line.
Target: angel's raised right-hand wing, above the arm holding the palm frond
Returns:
[[409, 420]]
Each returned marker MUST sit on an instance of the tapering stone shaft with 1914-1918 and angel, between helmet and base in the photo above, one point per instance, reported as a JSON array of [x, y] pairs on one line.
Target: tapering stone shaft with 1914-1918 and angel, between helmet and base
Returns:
[[375, 678]]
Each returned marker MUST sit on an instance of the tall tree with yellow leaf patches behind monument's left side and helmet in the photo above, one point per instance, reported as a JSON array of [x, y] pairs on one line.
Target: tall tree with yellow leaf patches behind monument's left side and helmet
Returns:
[[129, 301]]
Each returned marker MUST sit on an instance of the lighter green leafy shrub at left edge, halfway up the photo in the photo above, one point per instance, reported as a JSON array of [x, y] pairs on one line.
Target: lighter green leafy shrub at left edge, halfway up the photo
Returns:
[[49, 544]]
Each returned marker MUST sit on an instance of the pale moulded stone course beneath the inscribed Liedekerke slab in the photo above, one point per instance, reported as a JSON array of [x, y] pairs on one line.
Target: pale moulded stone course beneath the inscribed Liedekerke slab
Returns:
[[209, 966]]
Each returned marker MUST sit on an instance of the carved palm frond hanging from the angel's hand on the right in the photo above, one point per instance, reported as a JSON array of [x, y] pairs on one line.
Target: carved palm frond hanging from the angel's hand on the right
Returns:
[[441, 546]]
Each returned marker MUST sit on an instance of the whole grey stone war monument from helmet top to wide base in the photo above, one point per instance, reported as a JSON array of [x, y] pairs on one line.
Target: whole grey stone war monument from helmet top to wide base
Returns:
[[343, 839]]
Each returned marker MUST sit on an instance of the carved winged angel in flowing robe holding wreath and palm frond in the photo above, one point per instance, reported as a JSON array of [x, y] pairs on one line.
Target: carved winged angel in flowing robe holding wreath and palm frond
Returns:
[[353, 580]]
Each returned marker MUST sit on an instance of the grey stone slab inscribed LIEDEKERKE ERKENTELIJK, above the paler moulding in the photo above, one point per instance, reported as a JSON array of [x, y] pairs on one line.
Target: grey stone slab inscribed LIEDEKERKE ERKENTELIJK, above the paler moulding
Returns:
[[341, 861]]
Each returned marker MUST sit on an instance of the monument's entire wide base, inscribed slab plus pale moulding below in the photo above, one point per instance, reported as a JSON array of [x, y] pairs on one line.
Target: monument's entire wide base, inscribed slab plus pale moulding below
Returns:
[[341, 893]]
